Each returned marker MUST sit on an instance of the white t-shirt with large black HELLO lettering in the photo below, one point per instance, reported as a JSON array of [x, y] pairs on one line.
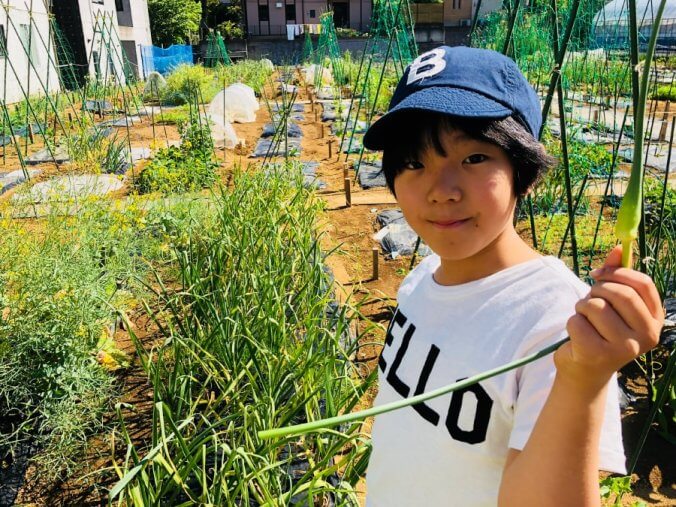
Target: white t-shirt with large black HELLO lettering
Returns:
[[451, 450]]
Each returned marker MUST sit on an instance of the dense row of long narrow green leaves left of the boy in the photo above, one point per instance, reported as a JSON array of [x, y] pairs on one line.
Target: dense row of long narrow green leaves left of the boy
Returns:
[[252, 340]]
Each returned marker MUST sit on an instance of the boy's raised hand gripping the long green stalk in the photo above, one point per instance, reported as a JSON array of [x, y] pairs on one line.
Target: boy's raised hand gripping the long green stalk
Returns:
[[620, 319]]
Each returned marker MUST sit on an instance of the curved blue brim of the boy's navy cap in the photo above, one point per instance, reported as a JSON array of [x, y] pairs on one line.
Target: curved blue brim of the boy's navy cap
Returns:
[[444, 100]]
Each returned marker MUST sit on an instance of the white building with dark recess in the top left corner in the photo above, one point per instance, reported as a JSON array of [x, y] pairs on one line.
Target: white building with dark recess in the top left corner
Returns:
[[104, 39]]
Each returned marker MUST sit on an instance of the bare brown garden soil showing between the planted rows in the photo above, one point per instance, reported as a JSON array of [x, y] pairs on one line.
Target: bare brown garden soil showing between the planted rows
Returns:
[[349, 231]]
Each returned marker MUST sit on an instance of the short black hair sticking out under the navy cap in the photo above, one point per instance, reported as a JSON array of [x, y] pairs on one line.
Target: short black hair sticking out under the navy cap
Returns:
[[417, 131]]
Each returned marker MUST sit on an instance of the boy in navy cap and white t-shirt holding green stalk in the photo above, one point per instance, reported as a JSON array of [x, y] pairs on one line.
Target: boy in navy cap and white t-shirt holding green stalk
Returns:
[[459, 149]]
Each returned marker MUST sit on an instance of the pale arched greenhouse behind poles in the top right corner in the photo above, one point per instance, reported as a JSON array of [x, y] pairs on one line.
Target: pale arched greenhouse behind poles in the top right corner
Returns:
[[612, 25]]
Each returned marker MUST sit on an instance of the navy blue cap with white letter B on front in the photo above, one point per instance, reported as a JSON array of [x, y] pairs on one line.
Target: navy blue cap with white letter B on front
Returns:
[[464, 82]]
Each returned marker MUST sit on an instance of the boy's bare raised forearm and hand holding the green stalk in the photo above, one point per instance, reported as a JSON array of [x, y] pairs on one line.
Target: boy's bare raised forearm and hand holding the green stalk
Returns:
[[620, 319]]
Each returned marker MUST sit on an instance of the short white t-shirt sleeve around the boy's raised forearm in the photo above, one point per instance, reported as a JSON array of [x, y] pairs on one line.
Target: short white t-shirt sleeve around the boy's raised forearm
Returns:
[[534, 382]]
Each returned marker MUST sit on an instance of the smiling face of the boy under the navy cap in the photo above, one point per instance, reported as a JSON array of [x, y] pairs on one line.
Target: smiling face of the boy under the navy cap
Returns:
[[461, 204]]
